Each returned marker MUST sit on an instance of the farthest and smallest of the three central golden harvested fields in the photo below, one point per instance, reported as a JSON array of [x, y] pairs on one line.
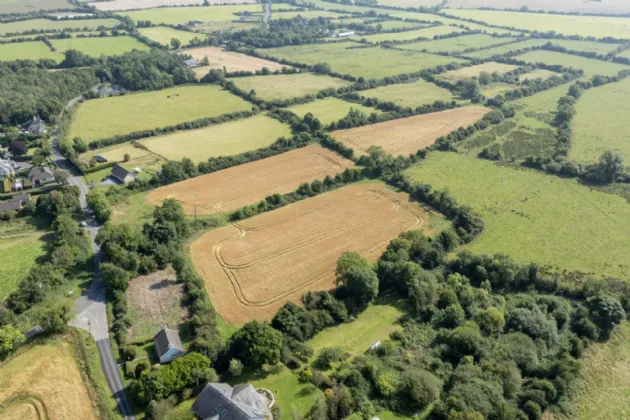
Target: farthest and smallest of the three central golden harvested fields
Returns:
[[408, 135]]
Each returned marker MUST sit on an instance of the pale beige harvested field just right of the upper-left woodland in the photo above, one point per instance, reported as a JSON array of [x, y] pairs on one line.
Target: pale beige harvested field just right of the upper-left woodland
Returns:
[[231, 61]]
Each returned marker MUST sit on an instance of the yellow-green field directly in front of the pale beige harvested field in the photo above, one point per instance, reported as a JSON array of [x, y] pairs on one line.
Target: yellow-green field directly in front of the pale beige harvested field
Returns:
[[287, 86]]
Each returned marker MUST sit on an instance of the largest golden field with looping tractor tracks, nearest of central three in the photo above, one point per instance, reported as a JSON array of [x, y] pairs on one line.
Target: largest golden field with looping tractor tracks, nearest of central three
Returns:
[[252, 268]]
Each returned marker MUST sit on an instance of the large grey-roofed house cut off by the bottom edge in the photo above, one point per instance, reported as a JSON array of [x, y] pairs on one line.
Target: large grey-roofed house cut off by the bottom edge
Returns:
[[224, 402]]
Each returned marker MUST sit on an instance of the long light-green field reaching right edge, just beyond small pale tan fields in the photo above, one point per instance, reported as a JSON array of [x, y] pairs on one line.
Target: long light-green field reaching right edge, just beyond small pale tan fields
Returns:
[[591, 67]]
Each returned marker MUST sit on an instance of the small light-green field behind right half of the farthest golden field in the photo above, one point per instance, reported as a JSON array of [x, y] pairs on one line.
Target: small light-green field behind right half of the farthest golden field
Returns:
[[412, 94]]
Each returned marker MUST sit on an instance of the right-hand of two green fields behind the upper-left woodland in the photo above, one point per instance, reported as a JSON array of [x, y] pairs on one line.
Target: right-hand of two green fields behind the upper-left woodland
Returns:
[[96, 47]]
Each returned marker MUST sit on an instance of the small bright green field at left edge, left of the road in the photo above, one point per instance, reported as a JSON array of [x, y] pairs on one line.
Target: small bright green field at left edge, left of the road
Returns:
[[18, 255]]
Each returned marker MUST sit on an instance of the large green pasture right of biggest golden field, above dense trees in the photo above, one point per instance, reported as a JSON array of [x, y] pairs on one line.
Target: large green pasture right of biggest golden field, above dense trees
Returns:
[[534, 217]]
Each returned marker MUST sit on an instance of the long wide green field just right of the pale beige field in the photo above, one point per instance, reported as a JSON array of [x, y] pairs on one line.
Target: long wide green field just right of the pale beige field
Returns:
[[368, 62]]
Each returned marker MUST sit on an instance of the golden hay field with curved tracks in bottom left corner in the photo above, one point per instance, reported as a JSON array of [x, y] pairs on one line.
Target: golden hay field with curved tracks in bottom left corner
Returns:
[[43, 382]]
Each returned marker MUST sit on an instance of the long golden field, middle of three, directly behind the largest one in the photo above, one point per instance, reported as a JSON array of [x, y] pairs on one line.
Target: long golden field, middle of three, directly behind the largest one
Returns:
[[236, 187]]
